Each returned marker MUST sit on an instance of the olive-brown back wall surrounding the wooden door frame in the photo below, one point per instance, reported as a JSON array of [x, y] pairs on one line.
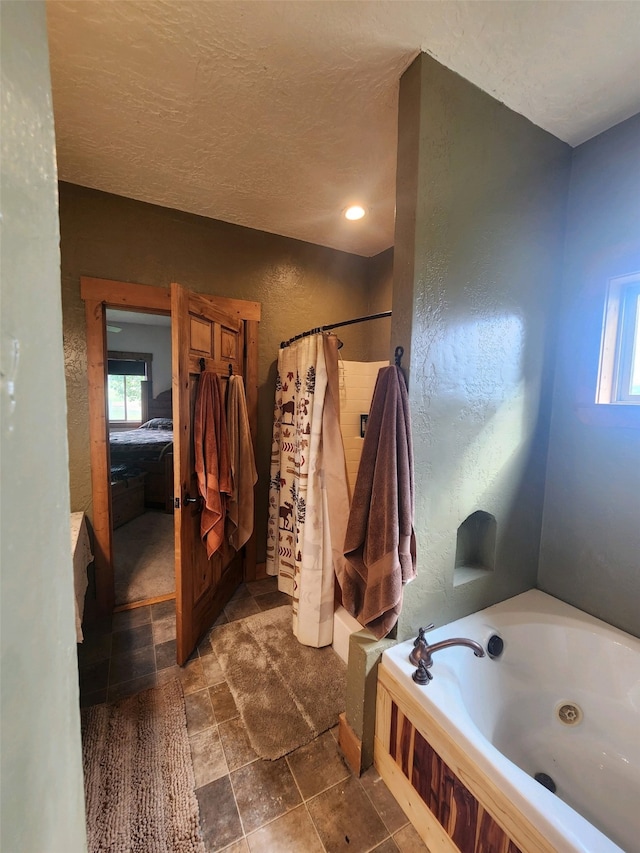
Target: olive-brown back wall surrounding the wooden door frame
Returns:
[[299, 286]]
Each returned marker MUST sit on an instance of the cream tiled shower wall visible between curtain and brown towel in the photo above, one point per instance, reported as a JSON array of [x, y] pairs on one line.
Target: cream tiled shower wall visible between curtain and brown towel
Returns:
[[357, 381]]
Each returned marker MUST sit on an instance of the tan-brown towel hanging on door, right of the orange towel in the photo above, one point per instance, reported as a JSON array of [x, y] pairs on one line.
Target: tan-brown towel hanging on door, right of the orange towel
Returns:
[[243, 468]]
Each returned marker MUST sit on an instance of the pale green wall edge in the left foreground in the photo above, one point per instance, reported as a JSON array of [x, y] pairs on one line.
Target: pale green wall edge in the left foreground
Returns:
[[41, 764]]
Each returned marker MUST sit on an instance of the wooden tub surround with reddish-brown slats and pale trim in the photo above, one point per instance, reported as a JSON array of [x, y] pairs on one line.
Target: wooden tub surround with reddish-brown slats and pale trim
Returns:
[[454, 806]]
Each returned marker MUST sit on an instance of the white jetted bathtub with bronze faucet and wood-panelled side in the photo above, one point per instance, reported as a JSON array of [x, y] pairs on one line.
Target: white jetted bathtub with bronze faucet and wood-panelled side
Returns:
[[562, 699]]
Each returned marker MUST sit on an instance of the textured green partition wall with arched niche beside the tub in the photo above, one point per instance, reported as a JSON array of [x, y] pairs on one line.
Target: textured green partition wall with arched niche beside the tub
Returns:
[[478, 255]]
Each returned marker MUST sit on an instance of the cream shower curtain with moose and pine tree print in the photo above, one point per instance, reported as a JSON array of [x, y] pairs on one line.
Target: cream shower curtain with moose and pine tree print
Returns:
[[308, 494]]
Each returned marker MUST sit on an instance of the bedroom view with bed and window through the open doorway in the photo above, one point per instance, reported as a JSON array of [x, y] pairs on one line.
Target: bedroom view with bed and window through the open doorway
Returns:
[[140, 422]]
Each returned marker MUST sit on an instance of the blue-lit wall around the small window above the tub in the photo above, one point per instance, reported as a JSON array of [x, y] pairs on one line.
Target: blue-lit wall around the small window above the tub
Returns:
[[591, 532]]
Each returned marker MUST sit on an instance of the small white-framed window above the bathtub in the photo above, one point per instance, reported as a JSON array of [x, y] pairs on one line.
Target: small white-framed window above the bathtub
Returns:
[[619, 377]]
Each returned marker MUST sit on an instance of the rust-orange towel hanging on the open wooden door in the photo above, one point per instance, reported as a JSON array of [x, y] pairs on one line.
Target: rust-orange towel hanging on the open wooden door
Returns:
[[211, 459]]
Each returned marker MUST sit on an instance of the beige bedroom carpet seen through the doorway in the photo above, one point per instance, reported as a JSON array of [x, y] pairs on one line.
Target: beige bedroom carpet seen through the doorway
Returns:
[[144, 565]]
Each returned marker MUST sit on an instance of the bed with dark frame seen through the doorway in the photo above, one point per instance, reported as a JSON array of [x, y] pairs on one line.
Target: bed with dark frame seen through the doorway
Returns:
[[142, 464]]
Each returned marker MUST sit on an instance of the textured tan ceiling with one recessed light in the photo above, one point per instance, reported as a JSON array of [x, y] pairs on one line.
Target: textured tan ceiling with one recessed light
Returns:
[[276, 115]]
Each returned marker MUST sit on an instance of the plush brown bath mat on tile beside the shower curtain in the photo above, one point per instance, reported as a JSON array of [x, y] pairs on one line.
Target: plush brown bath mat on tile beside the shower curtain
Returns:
[[287, 694]]
